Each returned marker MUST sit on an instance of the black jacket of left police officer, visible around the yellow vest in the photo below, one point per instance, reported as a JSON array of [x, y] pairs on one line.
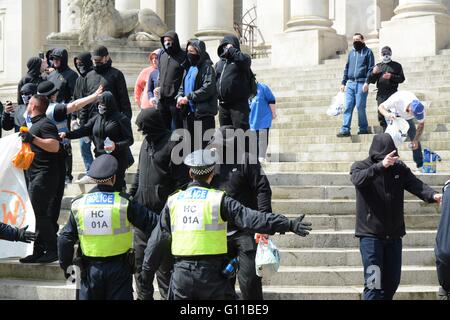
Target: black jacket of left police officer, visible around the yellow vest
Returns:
[[138, 215]]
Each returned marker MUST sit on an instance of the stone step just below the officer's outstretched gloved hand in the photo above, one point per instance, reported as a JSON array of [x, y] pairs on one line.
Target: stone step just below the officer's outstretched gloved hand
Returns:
[[347, 239]]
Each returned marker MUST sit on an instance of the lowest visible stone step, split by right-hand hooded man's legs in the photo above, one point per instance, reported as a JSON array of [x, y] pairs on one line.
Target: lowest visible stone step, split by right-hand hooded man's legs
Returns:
[[416, 292]]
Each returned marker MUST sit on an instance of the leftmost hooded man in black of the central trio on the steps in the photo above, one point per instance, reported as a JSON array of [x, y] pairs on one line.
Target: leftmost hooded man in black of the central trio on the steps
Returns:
[[172, 63]]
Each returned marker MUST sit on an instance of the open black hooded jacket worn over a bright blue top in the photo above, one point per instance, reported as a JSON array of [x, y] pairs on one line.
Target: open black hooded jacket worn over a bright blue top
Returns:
[[204, 95]]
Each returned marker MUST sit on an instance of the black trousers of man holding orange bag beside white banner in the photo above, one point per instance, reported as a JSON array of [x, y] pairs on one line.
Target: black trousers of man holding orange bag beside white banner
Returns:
[[43, 189]]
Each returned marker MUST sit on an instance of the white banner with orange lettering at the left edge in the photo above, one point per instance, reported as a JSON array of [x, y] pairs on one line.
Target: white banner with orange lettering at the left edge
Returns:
[[15, 205]]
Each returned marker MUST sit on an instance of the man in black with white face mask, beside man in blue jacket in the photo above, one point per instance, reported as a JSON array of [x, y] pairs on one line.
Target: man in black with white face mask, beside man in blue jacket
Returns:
[[387, 75]]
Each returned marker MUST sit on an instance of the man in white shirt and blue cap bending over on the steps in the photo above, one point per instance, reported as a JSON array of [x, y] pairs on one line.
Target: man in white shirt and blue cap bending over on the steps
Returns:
[[405, 104]]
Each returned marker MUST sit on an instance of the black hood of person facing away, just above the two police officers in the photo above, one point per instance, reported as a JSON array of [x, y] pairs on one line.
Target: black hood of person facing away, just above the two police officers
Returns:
[[151, 123]]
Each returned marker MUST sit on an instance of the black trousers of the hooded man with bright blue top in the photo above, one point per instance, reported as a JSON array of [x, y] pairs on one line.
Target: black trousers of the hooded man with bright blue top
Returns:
[[206, 122]]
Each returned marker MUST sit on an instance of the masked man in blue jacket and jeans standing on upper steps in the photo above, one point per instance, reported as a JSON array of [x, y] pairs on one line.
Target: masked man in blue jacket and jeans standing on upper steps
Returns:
[[359, 66]]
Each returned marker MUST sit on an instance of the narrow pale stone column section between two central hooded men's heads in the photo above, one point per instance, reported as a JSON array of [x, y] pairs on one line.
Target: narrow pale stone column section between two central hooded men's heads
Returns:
[[186, 19]]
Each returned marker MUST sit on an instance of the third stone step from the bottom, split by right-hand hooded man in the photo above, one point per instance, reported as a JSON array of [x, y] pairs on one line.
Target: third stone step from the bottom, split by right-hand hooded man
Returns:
[[349, 257]]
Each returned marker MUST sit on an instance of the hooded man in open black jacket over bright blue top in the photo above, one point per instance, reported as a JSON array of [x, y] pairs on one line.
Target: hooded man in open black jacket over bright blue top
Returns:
[[197, 97]]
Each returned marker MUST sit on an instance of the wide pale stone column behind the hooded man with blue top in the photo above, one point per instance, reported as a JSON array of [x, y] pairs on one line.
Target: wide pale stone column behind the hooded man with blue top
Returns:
[[215, 20]]
